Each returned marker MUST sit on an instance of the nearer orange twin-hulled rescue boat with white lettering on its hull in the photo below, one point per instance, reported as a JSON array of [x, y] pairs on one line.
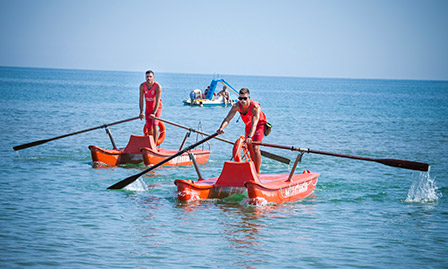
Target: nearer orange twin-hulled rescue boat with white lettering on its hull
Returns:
[[240, 177]]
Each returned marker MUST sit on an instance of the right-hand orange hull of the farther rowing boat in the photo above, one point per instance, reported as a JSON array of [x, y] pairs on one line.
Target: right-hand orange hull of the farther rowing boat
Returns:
[[151, 157]]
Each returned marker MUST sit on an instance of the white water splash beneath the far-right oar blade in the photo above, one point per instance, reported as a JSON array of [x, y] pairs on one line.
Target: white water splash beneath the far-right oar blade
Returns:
[[423, 189]]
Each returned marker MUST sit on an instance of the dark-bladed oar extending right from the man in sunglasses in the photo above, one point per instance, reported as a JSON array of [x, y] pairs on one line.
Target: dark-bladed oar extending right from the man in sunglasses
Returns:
[[390, 162]]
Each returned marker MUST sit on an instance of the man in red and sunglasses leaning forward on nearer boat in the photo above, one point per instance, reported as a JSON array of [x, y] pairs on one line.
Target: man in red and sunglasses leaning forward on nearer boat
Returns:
[[253, 118]]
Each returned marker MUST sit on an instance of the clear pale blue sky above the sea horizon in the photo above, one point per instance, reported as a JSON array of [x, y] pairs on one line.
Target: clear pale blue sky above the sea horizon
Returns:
[[390, 39]]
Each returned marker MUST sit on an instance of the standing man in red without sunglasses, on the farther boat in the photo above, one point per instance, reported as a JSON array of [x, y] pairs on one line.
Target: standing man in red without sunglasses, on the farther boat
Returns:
[[151, 91]]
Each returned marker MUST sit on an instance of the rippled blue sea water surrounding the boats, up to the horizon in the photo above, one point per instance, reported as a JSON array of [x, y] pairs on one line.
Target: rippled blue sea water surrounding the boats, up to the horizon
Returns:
[[55, 210]]
